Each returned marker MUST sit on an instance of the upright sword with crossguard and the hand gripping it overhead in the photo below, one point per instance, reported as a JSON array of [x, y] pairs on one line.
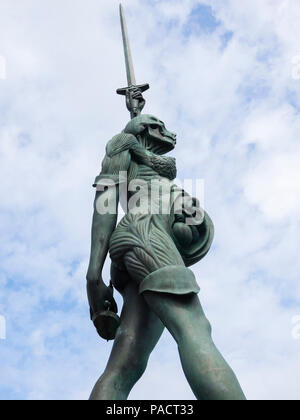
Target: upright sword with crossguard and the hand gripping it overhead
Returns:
[[133, 91]]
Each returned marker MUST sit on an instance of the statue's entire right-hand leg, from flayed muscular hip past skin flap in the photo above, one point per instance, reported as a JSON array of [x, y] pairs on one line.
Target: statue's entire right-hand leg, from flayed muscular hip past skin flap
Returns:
[[170, 289]]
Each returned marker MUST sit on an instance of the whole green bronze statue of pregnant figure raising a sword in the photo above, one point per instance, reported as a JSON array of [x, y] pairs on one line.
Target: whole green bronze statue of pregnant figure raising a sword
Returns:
[[151, 251]]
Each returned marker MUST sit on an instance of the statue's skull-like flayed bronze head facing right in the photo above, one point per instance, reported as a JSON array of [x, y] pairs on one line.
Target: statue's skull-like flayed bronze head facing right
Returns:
[[152, 132]]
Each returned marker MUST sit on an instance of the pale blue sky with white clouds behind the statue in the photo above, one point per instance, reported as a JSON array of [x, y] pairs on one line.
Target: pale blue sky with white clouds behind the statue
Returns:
[[224, 75]]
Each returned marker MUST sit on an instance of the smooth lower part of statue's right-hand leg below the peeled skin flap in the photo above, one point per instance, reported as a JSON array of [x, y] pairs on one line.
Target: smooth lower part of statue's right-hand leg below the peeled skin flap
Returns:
[[207, 372]]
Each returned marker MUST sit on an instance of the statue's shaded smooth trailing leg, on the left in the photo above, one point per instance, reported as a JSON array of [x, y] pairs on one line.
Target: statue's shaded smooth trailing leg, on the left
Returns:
[[137, 336]]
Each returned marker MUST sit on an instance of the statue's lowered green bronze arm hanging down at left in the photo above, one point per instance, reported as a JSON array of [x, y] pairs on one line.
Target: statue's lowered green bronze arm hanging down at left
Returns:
[[116, 161]]
